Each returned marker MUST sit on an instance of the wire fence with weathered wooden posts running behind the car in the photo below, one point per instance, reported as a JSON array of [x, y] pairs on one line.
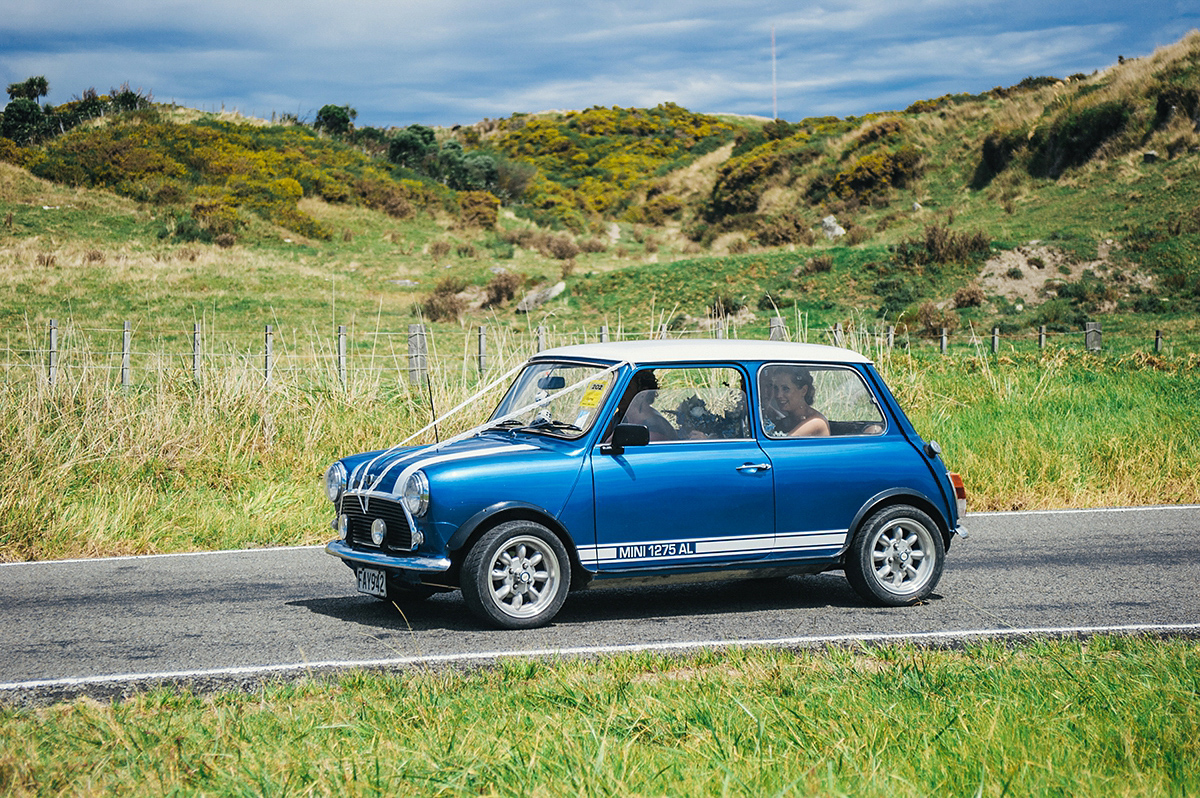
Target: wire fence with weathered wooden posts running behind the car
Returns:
[[131, 356]]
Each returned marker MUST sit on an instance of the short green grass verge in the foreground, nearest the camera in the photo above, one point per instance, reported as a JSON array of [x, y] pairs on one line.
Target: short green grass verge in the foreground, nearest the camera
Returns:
[[1113, 717]]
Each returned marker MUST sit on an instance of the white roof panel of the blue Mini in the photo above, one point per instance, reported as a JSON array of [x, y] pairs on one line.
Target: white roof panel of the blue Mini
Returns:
[[700, 350]]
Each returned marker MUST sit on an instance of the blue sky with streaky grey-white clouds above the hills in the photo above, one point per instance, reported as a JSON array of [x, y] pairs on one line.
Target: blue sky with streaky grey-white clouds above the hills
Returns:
[[457, 62]]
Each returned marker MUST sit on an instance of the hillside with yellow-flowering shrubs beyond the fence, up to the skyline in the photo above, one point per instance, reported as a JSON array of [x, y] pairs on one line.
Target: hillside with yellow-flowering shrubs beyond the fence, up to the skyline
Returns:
[[1022, 207]]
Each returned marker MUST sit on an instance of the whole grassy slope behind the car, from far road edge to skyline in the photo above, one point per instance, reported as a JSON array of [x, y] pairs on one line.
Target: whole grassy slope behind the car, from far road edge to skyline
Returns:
[[962, 212]]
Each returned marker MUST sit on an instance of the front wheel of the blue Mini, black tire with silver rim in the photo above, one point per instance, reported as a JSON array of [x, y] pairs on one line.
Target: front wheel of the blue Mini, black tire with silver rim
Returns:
[[517, 577]]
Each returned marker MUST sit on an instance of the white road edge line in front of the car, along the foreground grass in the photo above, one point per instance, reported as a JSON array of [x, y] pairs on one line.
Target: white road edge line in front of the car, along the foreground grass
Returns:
[[585, 651]]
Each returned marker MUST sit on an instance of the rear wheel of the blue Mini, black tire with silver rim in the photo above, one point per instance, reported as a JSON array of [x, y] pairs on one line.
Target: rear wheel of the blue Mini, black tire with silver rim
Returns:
[[897, 557]]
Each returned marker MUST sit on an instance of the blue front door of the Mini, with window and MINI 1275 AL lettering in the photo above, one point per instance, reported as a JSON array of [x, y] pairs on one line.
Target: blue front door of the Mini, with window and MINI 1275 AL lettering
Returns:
[[700, 495]]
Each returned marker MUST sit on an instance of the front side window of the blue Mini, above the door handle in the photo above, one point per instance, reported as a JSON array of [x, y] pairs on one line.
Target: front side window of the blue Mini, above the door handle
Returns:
[[687, 404]]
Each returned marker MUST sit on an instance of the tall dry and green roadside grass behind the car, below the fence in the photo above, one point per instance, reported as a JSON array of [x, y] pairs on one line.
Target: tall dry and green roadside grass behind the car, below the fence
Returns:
[[89, 469]]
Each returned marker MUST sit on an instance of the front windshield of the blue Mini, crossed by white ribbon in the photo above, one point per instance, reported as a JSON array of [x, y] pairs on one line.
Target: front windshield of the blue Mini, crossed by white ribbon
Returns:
[[561, 399]]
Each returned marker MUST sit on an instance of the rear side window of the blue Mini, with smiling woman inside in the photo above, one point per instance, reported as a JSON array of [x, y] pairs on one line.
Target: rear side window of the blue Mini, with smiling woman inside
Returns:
[[817, 401]]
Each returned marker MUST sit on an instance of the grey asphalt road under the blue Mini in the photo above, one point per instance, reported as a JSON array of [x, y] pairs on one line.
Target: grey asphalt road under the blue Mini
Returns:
[[64, 625]]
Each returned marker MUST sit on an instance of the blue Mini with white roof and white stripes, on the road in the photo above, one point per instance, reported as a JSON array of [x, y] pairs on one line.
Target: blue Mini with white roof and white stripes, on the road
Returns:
[[656, 459]]
